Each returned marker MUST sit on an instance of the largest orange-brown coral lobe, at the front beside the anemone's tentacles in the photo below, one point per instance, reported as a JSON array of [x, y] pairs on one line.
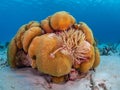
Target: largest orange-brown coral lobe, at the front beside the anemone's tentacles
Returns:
[[47, 62]]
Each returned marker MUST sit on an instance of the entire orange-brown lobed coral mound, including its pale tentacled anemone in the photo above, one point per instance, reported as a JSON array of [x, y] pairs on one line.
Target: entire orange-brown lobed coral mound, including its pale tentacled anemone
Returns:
[[57, 47]]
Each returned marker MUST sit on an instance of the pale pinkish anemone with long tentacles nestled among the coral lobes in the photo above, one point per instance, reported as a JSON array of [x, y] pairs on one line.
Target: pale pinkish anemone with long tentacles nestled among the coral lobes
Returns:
[[74, 44]]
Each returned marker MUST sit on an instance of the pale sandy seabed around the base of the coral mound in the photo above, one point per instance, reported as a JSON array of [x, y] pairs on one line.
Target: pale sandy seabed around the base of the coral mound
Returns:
[[106, 77]]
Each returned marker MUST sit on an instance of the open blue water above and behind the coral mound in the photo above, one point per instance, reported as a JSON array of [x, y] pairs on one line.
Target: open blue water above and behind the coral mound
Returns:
[[103, 16]]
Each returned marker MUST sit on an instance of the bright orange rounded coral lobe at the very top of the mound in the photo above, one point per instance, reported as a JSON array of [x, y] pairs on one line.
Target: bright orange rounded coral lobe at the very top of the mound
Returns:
[[61, 21]]
